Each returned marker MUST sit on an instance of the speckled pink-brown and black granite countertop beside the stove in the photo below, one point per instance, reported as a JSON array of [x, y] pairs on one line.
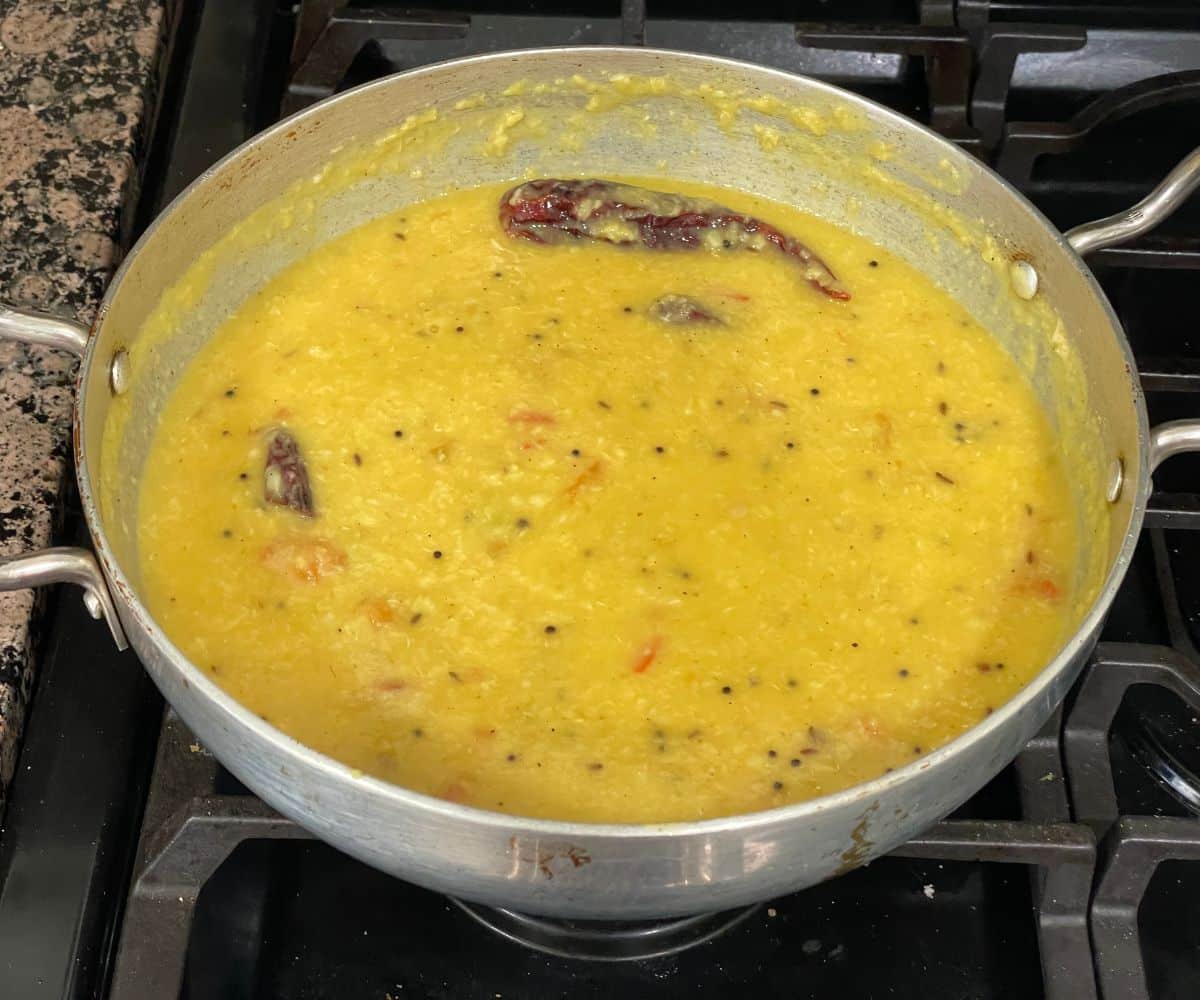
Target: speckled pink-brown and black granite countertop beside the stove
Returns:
[[79, 85]]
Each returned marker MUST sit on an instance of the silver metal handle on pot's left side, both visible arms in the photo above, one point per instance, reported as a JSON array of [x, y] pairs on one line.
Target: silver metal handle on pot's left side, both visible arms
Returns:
[[59, 565]]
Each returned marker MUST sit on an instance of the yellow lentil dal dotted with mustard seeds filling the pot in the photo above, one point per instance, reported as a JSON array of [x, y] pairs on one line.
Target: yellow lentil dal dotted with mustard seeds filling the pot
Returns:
[[613, 570]]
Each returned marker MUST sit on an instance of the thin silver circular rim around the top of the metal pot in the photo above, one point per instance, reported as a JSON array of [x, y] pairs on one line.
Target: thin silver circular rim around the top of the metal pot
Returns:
[[400, 798]]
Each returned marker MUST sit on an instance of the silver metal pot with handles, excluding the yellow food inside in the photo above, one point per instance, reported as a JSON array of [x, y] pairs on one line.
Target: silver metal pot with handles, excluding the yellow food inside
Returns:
[[838, 155]]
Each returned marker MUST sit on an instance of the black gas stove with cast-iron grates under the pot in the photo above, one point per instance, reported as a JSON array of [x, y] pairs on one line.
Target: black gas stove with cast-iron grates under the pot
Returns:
[[134, 867]]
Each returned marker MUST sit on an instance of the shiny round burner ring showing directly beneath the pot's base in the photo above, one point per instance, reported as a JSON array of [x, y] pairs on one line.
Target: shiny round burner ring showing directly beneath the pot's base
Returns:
[[607, 941]]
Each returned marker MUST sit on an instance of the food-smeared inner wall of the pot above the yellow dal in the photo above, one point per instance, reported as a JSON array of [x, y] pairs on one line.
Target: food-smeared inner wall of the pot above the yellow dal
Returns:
[[455, 125]]
